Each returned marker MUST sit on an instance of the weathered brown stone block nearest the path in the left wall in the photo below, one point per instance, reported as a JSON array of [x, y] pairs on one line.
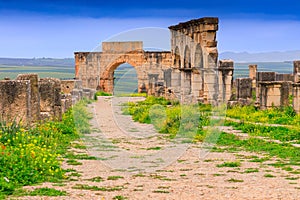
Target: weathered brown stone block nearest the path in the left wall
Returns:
[[50, 98]]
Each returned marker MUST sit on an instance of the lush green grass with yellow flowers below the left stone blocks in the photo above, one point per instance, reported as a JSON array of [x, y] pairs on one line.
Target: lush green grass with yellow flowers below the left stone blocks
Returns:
[[34, 155]]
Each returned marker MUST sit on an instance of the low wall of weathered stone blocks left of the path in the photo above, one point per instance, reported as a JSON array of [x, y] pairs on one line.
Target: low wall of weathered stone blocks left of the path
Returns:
[[30, 99]]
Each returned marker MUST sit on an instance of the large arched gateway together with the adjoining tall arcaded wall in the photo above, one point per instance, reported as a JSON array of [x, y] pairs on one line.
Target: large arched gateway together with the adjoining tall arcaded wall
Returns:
[[189, 71]]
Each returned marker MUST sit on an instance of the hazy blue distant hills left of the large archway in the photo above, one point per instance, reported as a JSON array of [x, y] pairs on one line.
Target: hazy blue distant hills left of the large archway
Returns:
[[65, 62]]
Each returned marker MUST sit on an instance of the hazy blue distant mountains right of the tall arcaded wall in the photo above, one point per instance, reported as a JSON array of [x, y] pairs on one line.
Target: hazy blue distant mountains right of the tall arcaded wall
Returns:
[[262, 57]]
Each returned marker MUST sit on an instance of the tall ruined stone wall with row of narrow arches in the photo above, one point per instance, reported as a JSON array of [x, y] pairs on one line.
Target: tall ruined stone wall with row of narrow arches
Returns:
[[194, 59]]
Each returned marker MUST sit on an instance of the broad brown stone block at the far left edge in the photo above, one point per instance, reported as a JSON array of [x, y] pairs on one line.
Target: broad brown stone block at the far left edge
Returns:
[[15, 101]]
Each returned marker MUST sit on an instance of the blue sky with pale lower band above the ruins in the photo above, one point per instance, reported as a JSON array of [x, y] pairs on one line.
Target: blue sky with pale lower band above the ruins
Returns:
[[57, 28]]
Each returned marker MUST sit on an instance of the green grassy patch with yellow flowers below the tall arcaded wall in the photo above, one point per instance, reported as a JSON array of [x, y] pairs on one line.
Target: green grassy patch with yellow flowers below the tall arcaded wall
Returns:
[[171, 118]]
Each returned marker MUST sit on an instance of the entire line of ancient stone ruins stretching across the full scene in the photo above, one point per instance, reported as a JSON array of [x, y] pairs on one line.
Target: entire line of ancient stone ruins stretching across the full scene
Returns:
[[190, 72]]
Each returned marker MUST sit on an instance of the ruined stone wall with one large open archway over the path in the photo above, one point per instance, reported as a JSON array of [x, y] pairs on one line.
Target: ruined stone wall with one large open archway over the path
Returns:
[[96, 69]]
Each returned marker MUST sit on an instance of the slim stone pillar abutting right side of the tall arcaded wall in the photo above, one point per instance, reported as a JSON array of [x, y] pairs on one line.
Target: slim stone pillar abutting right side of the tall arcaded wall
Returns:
[[225, 79]]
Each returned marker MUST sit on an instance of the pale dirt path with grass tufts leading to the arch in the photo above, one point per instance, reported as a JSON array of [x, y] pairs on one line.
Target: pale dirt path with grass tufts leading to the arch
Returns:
[[137, 163]]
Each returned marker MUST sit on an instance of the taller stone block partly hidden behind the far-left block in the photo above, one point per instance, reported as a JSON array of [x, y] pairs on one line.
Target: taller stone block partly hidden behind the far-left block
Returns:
[[34, 93]]
